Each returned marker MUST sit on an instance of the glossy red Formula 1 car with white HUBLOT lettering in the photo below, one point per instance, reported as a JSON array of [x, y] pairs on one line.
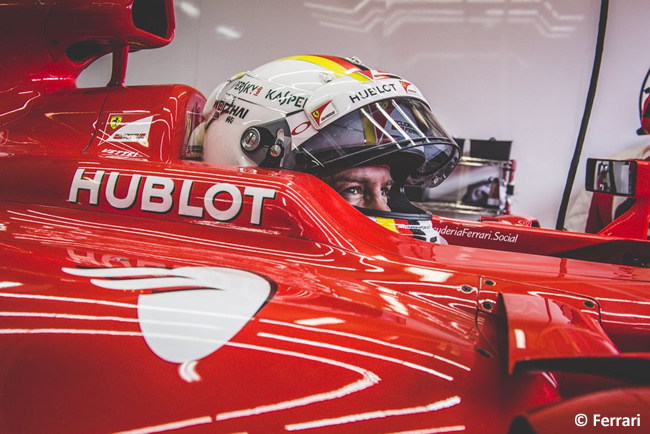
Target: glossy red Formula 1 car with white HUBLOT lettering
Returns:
[[142, 291]]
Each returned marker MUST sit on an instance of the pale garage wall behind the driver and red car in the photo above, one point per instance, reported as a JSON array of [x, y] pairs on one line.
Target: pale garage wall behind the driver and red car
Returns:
[[519, 70]]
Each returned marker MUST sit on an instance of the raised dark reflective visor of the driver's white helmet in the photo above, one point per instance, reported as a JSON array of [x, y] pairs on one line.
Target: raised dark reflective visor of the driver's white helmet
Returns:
[[401, 133]]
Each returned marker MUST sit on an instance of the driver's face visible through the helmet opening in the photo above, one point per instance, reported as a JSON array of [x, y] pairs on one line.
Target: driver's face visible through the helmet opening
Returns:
[[364, 187]]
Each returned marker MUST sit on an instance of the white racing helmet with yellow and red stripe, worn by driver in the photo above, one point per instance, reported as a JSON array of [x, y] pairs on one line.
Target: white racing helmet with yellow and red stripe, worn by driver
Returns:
[[323, 114]]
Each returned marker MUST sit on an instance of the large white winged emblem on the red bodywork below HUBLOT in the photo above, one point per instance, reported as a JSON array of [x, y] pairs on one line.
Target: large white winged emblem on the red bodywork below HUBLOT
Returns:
[[207, 307]]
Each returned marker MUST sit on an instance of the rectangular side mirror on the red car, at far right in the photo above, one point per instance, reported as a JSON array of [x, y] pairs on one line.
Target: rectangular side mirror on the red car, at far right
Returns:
[[611, 176]]
